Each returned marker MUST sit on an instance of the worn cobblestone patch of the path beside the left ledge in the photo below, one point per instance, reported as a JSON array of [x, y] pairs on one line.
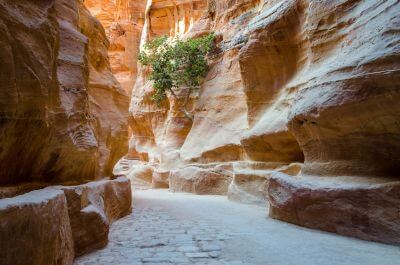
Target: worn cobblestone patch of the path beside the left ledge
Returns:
[[151, 236]]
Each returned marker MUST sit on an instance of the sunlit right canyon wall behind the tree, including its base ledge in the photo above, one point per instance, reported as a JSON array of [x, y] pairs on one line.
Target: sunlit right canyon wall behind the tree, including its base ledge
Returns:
[[299, 110]]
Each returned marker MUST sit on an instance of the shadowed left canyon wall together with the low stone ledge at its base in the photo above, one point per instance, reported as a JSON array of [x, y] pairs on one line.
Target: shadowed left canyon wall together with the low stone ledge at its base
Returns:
[[63, 120]]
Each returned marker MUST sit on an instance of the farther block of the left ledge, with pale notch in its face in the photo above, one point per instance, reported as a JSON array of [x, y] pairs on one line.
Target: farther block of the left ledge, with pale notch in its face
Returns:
[[93, 207]]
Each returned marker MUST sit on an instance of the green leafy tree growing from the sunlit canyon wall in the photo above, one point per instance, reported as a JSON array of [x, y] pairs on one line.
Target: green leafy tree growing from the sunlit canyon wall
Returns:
[[177, 63]]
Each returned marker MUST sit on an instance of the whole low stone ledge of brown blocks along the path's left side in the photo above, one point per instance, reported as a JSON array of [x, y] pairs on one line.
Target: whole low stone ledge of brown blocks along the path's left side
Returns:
[[56, 224]]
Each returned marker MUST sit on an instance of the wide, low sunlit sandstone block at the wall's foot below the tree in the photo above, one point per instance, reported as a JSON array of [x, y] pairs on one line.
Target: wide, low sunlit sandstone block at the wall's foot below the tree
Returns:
[[200, 179]]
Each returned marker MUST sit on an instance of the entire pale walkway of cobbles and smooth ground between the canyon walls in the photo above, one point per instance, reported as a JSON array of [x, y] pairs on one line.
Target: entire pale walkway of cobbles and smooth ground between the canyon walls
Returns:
[[168, 228]]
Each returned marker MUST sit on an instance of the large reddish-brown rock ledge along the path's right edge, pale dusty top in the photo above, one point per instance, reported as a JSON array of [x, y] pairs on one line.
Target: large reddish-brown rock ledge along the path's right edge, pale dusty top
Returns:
[[367, 208]]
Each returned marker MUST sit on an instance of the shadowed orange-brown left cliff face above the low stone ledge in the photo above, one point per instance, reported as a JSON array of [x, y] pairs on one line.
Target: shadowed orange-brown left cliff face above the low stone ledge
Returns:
[[62, 113]]
